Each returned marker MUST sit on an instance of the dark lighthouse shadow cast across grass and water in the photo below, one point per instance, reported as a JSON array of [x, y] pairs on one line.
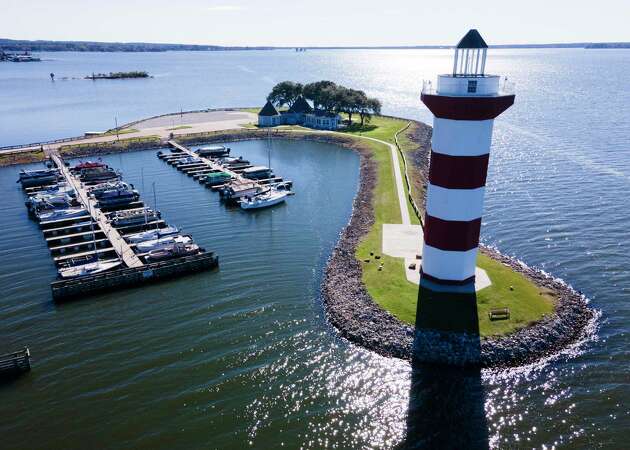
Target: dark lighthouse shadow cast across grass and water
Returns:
[[446, 403]]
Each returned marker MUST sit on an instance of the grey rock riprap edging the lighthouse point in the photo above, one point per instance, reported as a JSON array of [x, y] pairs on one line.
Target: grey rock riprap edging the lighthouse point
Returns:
[[351, 310]]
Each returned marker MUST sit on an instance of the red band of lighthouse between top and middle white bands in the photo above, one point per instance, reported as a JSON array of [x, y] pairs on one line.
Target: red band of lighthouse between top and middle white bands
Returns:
[[458, 172]]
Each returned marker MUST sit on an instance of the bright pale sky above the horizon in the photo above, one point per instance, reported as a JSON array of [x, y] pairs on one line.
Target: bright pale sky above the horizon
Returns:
[[316, 22]]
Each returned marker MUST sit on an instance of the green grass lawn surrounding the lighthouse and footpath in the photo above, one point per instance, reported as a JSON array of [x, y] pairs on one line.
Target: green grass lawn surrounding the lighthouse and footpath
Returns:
[[389, 286]]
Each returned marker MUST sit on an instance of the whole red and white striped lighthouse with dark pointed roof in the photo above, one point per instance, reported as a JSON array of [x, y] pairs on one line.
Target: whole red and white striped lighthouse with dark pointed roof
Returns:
[[465, 104]]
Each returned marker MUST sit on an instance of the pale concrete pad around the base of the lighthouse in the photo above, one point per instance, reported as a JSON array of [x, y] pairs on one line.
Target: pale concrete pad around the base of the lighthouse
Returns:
[[405, 241]]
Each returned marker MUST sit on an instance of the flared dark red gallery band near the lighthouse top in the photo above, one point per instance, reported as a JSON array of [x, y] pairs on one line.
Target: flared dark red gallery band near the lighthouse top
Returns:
[[467, 108]]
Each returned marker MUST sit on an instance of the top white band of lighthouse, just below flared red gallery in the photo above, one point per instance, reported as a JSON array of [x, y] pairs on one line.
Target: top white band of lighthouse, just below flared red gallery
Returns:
[[462, 137]]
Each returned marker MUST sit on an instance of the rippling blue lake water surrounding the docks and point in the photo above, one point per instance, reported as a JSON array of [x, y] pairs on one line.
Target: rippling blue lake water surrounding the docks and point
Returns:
[[243, 356]]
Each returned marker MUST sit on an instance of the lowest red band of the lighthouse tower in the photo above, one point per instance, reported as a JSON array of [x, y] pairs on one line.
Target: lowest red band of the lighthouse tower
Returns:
[[451, 235]]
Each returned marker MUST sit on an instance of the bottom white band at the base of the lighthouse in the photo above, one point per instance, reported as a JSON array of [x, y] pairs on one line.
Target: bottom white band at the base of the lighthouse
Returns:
[[448, 265]]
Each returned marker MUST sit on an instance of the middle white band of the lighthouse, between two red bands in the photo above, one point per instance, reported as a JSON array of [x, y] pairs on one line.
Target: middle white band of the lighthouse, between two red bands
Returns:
[[455, 204]]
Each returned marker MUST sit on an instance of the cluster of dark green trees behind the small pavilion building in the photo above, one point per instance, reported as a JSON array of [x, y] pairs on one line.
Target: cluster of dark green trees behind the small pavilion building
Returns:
[[327, 96]]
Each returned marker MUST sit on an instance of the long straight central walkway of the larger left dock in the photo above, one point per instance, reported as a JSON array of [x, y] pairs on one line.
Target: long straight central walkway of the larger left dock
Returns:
[[125, 253]]
